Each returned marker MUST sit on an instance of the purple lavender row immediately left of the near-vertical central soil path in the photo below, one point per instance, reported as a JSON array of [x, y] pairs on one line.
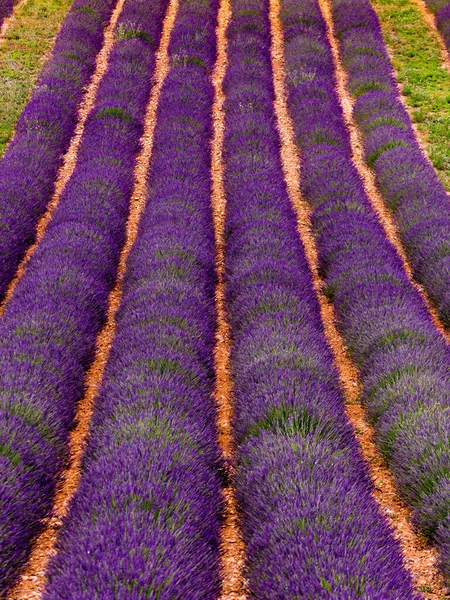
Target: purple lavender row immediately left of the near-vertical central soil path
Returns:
[[145, 520]]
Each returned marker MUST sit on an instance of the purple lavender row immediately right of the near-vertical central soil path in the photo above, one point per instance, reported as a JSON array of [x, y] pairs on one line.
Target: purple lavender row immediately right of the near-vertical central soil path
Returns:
[[311, 526]]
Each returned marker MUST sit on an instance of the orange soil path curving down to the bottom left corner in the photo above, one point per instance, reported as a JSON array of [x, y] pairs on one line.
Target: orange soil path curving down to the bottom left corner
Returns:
[[31, 584]]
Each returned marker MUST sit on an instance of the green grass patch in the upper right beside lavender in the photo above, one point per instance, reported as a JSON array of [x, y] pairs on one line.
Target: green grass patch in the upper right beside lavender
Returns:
[[416, 56]]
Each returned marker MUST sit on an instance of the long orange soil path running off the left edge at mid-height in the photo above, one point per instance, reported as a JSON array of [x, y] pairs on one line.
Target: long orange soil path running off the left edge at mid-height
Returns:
[[70, 158]]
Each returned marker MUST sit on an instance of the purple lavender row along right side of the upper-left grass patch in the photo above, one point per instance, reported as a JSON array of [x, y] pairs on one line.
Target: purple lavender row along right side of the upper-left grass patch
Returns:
[[30, 164]]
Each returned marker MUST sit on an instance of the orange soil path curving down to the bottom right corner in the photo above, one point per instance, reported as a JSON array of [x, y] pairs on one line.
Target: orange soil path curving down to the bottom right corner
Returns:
[[419, 558]]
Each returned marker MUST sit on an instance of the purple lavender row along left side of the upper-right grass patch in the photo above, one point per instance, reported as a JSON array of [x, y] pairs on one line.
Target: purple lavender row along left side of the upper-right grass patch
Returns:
[[405, 178]]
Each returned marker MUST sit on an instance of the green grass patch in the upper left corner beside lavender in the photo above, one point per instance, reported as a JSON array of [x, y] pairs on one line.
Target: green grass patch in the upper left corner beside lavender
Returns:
[[29, 42]]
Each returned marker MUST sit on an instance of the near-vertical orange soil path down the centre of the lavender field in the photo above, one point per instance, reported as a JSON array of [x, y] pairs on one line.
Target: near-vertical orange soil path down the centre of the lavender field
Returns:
[[232, 545]]
